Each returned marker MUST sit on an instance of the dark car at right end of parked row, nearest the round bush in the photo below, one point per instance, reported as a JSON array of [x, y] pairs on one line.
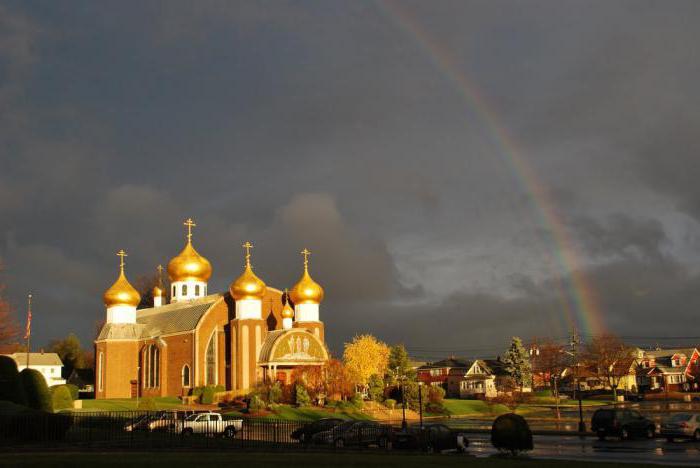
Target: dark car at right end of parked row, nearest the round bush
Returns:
[[430, 438]]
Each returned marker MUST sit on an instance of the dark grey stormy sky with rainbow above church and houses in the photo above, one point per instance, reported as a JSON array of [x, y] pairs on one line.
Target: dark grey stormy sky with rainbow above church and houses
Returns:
[[463, 171]]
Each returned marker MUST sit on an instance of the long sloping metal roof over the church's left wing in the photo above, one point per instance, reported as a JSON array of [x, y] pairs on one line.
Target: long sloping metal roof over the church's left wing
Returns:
[[157, 321]]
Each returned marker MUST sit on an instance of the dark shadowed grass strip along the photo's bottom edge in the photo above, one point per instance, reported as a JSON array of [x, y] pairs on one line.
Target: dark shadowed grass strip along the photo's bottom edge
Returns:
[[276, 460]]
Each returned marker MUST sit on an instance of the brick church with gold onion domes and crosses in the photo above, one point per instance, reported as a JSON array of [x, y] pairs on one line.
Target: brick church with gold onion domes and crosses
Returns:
[[248, 335]]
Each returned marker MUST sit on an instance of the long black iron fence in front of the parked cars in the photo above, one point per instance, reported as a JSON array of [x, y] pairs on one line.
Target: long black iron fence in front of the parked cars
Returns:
[[170, 429]]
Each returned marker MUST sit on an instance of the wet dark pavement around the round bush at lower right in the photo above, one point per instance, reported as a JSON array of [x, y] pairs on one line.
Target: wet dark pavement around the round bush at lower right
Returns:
[[590, 448]]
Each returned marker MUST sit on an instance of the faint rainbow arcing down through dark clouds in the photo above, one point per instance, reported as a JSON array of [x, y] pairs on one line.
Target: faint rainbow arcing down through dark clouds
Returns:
[[578, 298]]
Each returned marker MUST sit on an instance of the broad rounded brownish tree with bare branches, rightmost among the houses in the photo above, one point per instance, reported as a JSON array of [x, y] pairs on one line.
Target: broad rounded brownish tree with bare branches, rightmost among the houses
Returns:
[[611, 358]]
